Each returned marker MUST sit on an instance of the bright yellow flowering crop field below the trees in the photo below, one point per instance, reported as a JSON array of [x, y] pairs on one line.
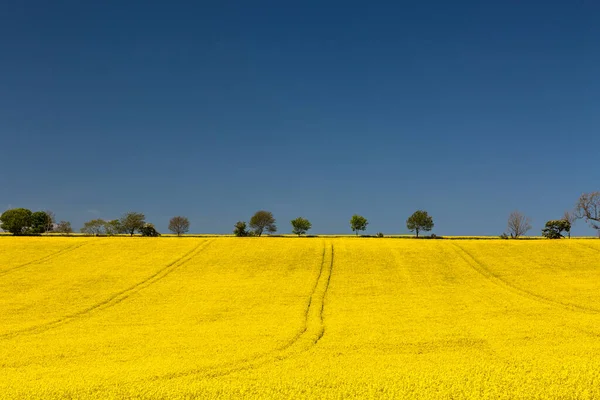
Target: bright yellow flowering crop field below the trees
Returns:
[[299, 318]]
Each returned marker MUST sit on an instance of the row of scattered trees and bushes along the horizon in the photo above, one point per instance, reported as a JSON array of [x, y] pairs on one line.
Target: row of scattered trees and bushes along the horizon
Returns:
[[21, 221]]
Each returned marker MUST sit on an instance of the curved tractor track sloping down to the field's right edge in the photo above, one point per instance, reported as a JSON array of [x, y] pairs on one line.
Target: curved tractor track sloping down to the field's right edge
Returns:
[[489, 275]]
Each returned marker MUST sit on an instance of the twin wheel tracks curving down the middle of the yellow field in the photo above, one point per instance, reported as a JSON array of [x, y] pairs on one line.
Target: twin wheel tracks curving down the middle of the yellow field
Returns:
[[312, 331]]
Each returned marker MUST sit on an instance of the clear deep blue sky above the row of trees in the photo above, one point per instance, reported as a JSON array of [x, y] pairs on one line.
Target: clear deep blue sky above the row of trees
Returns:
[[321, 109]]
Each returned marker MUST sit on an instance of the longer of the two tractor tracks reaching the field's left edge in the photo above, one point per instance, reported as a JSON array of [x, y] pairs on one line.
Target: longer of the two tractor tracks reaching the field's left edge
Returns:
[[115, 298]]
